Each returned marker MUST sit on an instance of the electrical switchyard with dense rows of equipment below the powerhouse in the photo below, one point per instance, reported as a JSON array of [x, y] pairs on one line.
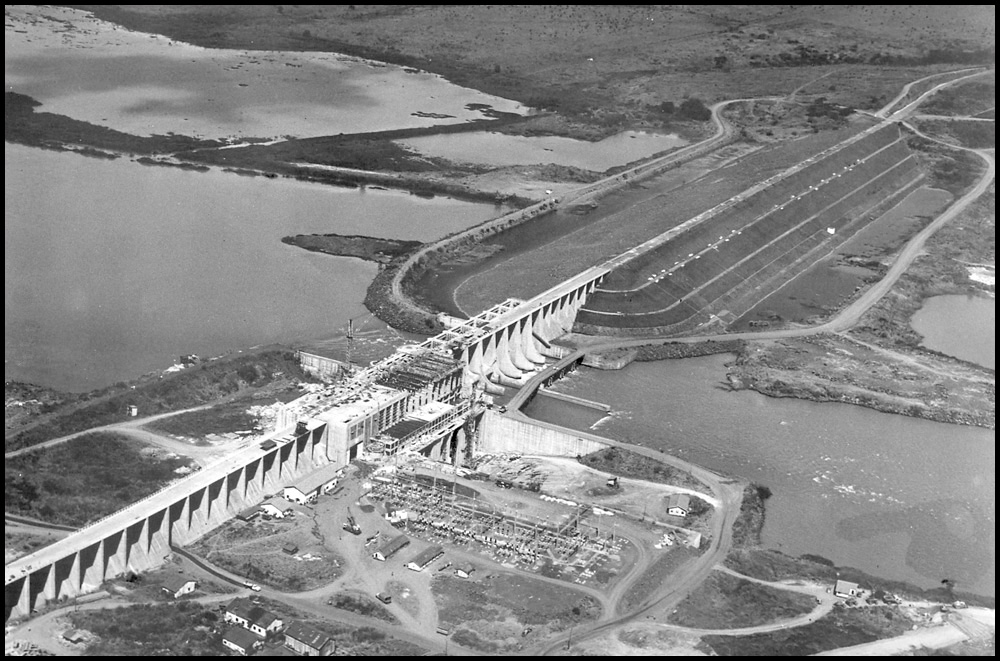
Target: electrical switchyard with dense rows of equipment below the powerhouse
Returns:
[[527, 530]]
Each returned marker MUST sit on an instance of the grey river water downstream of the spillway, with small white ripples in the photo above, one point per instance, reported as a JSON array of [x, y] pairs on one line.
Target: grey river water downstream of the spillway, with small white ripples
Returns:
[[897, 497]]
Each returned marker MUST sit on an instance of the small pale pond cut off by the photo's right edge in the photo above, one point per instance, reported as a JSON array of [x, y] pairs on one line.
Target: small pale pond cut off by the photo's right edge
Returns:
[[961, 326]]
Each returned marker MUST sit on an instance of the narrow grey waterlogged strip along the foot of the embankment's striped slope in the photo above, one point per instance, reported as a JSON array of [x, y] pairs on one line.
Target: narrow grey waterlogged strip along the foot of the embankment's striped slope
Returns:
[[830, 283]]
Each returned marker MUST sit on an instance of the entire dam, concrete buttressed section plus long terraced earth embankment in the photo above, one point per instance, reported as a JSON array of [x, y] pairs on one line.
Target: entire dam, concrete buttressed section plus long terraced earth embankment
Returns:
[[432, 397]]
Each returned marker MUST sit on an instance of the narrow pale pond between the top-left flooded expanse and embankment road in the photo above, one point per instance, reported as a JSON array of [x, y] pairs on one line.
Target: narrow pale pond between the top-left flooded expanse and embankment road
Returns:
[[499, 149]]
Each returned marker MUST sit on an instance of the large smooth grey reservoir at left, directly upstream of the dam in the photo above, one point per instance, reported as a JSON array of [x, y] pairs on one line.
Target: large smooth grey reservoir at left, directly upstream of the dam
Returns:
[[113, 269]]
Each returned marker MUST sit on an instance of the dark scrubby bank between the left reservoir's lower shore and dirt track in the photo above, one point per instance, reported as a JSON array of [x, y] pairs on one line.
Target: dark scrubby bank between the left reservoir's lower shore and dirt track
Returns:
[[269, 369]]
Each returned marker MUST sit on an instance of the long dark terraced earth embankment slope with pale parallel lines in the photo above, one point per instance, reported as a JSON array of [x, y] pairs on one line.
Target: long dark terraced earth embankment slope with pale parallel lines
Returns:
[[717, 265]]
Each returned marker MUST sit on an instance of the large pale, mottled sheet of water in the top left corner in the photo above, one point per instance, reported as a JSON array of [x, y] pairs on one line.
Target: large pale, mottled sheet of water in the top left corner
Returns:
[[147, 84]]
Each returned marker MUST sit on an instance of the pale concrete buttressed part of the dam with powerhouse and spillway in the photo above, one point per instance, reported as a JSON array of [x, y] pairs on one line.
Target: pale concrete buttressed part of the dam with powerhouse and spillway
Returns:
[[420, 397]]
